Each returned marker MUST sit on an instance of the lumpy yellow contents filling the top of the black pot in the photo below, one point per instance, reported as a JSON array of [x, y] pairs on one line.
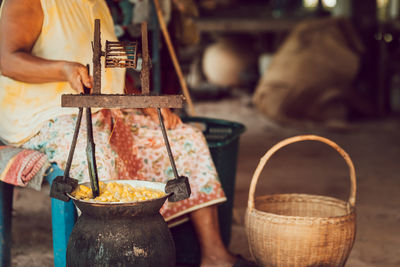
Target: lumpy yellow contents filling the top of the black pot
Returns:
[[117, 192]]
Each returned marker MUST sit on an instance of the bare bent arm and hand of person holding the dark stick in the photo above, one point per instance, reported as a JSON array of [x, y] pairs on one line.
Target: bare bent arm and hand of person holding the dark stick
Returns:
[[20, 25]]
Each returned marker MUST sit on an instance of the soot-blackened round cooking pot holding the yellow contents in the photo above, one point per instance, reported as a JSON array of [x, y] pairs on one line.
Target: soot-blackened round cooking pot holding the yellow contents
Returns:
[[121, 234]]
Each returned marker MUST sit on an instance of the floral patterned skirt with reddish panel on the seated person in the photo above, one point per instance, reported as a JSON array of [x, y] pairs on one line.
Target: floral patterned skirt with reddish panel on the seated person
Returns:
[[129, 145]]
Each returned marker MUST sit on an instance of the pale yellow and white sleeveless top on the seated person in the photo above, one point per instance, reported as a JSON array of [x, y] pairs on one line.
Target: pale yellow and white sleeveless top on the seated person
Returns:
[[67, 33]]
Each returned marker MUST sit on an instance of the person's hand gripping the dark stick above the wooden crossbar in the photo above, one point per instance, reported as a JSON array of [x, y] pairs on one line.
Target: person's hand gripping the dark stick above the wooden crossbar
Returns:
[[77, 76]]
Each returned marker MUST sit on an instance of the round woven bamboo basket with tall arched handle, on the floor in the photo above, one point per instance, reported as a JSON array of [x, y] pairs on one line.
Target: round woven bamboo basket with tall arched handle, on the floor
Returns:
[[301, 229]]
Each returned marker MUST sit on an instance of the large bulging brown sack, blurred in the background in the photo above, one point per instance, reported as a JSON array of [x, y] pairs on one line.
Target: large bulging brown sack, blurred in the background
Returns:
[[311, 73]]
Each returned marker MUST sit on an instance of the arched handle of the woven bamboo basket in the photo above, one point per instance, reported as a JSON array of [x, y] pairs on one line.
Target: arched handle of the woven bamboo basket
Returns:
[[268, 155]]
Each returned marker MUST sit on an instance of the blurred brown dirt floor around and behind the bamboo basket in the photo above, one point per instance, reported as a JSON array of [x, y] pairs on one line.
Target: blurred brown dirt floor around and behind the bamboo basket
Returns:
[[307, 167]]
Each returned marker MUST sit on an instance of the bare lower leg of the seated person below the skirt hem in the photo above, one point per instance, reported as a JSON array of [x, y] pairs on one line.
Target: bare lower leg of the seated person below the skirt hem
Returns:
[[213, 250]]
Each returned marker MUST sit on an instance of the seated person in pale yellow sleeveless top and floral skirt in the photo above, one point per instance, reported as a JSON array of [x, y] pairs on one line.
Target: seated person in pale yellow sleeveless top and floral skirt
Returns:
[[44, 47]]
